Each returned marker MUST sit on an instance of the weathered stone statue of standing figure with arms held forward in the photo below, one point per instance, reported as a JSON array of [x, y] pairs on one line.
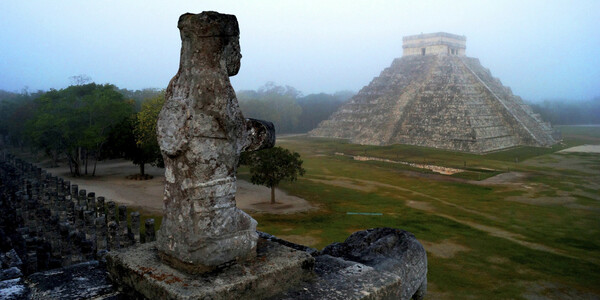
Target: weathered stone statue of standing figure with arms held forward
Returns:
[[201, 133]]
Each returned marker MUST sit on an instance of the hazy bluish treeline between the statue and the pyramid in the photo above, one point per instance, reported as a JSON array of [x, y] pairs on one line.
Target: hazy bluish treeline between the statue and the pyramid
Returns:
[[288, 109]]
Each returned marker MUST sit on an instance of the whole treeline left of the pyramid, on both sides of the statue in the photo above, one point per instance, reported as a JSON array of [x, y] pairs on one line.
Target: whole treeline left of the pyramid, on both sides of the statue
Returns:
[[84, 123]]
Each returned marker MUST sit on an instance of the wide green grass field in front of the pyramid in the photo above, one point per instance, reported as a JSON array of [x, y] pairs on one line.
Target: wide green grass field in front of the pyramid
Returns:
[[532, 231]]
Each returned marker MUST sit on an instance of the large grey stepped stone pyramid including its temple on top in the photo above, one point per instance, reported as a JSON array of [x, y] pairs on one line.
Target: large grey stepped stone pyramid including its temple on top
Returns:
[[435, 96]]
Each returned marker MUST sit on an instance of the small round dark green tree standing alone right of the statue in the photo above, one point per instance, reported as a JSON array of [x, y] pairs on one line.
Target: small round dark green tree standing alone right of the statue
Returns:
[[270, 166]]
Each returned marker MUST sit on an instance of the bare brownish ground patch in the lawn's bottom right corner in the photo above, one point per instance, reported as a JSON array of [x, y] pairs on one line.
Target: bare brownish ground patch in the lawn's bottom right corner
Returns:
[[544, 290]]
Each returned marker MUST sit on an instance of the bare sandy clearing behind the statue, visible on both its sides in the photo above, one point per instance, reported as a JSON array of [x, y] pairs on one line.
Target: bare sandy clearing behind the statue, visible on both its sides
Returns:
[[111, 183]]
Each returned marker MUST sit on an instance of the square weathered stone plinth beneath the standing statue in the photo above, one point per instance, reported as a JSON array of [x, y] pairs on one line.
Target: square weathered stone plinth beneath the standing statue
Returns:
[[276, 269]]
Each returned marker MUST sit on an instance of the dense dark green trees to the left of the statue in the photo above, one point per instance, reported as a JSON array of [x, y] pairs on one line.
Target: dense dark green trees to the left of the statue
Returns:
[[84, 123]]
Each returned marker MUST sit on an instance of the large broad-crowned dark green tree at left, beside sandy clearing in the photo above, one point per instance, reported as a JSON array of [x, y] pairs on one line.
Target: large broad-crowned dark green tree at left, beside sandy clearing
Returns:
[[76, 121]]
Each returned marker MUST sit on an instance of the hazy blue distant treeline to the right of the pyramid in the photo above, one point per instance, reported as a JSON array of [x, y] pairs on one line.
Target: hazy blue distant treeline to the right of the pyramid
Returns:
[[567, 112]]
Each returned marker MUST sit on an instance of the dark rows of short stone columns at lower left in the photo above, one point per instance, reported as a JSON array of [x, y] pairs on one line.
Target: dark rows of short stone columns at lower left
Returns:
[[49, 223]]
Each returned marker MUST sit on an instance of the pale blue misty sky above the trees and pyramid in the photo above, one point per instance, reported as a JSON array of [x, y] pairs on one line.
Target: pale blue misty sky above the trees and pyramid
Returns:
[[541, 49]]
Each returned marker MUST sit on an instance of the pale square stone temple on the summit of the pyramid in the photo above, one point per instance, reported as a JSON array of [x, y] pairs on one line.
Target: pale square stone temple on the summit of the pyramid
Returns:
[[439, 43]]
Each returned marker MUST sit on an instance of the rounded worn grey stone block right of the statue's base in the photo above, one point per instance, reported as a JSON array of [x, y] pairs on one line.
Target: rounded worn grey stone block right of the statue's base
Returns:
[[380, 263]]
